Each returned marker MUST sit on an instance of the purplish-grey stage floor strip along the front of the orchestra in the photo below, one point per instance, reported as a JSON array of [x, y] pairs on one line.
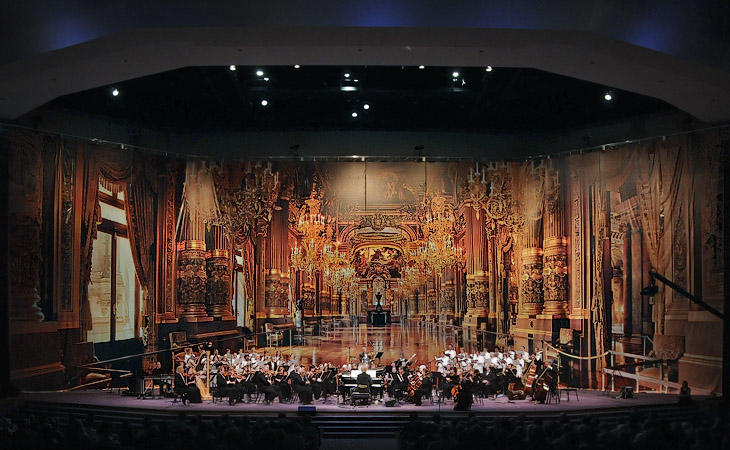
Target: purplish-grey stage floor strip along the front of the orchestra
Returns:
[[588, 401]]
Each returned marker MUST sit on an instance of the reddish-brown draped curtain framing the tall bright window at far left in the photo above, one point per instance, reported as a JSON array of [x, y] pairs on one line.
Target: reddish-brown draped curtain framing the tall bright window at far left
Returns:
[[117, 171]]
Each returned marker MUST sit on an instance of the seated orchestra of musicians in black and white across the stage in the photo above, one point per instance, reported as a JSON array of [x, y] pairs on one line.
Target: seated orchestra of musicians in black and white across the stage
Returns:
[[457, 377]]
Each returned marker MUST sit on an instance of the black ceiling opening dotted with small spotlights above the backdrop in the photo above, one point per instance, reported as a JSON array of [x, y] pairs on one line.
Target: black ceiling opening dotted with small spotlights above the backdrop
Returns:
[[399, 98]]
